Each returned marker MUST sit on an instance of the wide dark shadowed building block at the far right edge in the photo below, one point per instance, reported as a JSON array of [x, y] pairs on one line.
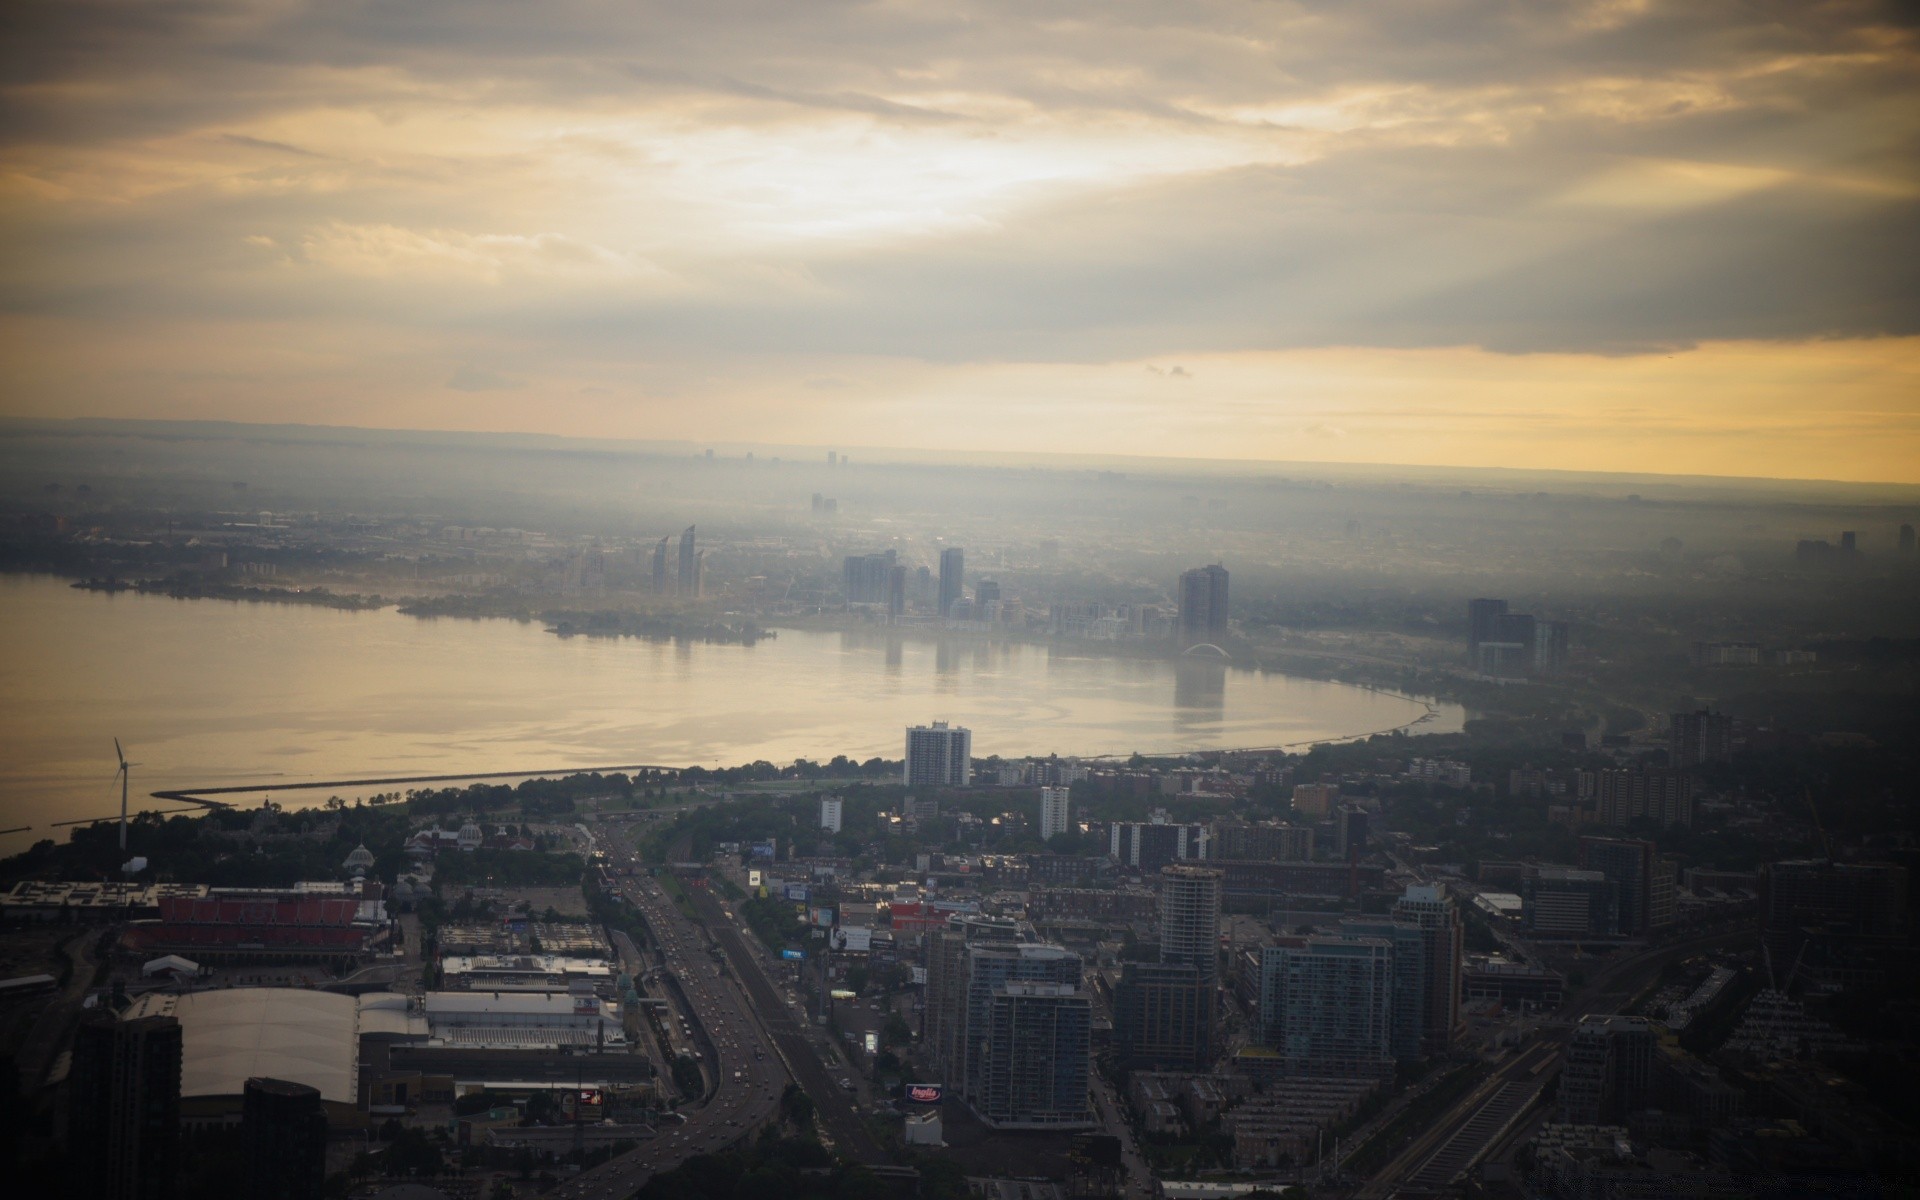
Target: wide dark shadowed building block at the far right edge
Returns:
[[1835, 905]]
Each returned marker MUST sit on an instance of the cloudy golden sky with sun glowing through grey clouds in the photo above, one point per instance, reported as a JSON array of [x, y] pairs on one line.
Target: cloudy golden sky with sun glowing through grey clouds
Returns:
[[1614, 235]]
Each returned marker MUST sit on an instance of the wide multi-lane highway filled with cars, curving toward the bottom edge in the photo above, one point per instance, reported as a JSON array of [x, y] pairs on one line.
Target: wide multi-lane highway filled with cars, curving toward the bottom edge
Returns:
[[748, 1074]]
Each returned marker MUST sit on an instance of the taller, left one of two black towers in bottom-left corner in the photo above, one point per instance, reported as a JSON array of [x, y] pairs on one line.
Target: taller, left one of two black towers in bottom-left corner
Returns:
[[124, 1124]]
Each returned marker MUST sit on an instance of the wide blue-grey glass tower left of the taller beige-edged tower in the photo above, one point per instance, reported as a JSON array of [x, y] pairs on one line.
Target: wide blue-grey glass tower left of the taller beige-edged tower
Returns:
[[1328, 1005]]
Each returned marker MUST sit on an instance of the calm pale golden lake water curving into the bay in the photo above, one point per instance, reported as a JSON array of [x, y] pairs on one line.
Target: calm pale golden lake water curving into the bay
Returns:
[[216, 694]]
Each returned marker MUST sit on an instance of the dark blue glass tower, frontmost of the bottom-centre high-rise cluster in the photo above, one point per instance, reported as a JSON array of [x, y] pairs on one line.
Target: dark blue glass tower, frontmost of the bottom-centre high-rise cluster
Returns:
[[1038, 1059]]
